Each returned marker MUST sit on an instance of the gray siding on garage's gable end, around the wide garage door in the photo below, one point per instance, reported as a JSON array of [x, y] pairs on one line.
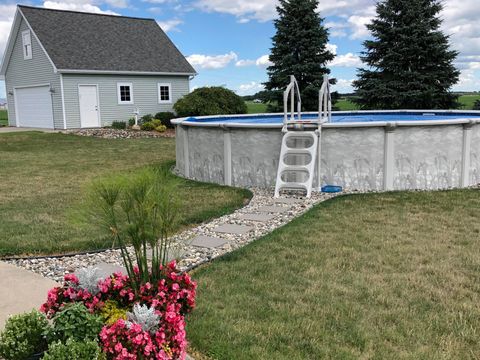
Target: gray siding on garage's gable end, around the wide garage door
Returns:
[[35, 71]]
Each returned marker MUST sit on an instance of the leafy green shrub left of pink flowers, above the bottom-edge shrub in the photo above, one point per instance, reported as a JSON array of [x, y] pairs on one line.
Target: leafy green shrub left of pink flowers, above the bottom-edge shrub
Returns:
[[75, 322]]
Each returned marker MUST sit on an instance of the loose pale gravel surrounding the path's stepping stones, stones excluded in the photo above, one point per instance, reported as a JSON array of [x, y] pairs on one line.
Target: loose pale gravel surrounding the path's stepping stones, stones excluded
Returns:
[[188, 256]]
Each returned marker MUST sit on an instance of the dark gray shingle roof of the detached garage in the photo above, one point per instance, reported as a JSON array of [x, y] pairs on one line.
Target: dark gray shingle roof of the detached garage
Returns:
[[84, 41]]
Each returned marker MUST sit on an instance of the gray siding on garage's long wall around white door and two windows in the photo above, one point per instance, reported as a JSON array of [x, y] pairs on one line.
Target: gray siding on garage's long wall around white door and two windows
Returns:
[[145, 95]]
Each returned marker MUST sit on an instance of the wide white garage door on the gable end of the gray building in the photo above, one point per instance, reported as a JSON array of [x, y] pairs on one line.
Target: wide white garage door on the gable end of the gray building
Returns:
[[34, 107]]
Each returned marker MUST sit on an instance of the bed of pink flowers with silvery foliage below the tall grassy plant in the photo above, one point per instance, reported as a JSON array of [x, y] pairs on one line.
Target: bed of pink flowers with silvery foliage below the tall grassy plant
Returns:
[[126, 336]]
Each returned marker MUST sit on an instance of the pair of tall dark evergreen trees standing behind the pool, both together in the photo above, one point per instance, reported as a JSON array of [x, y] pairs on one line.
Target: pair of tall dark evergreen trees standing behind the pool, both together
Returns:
[[408, 61]]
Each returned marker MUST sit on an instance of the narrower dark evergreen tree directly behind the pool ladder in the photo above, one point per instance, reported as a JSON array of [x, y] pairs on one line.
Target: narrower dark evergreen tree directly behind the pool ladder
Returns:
[[299, 49]]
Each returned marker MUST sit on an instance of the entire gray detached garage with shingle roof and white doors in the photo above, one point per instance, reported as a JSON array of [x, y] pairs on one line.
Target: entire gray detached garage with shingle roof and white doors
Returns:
[[66, 69]]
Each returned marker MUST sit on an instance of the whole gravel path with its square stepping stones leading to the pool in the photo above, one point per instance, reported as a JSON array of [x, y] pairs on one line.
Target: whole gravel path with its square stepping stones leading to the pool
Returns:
[[198, 245]]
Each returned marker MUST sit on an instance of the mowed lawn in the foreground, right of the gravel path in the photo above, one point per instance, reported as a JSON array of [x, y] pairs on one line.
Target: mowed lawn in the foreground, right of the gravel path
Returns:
[[374, 276]]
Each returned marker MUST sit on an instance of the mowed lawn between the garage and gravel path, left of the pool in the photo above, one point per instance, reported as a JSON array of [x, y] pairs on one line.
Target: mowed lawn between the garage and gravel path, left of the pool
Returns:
[[44, 178]]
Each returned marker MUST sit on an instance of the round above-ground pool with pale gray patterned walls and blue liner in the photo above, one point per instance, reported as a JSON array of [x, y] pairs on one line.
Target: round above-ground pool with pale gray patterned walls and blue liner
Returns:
[[363, 150]]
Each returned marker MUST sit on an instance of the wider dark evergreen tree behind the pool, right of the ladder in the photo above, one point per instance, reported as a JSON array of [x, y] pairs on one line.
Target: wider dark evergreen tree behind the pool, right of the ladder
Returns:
[[410, 63]]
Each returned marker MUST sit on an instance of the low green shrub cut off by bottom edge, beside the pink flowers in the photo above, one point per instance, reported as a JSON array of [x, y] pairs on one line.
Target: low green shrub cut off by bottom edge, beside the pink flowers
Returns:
[[88, 350]]
